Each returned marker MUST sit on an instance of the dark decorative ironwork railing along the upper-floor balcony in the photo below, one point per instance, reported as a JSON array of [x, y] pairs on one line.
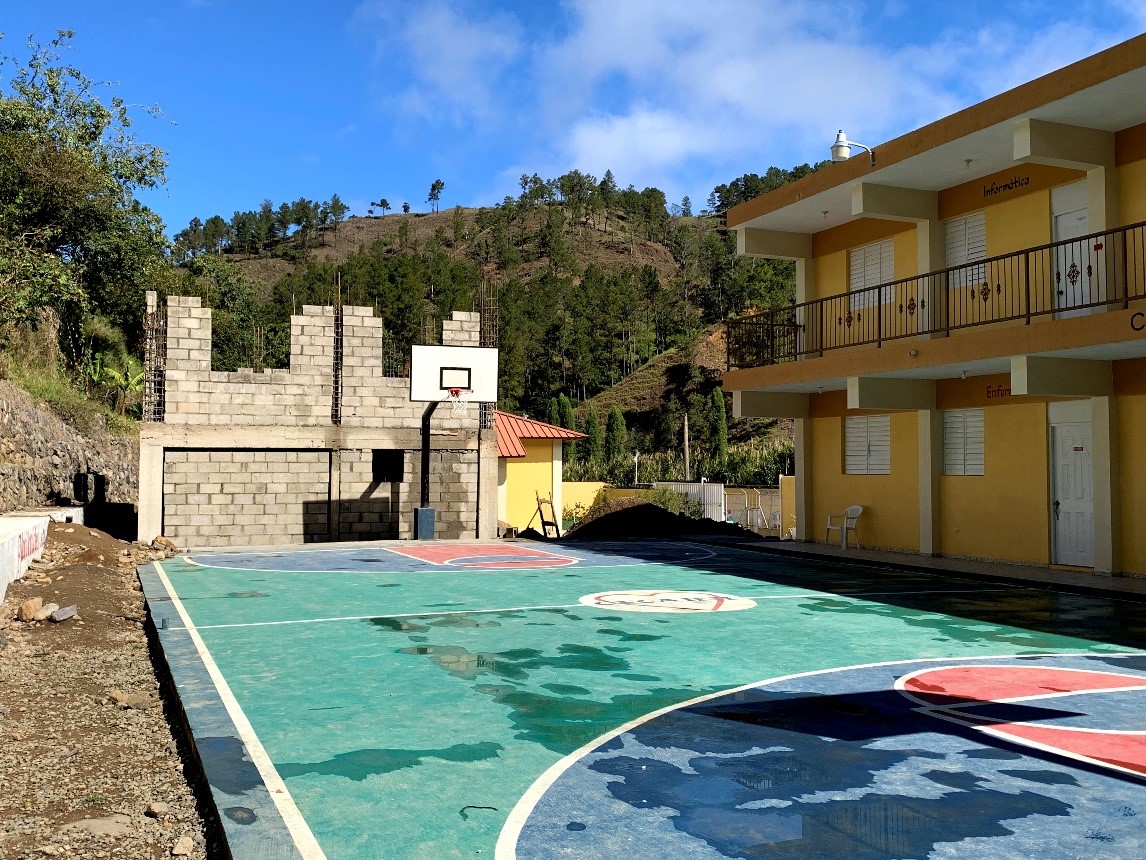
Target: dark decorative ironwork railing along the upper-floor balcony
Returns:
[[1063, 279]]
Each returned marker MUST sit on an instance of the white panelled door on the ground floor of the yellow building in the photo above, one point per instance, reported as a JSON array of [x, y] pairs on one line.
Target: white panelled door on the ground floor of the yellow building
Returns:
[[1072, 502]]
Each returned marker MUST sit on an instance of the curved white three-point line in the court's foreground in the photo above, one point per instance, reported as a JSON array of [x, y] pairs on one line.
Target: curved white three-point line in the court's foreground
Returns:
[[512, 831]]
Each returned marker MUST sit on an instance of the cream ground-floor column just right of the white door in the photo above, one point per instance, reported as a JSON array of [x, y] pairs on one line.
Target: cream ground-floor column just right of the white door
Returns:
[[1105, 467]]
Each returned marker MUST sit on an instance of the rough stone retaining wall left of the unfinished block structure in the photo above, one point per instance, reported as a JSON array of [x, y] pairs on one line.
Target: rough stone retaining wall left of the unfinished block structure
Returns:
[[43, 459]]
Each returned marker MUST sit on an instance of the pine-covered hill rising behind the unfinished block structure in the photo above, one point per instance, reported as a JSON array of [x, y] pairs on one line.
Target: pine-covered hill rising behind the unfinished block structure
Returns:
[[592, 280]]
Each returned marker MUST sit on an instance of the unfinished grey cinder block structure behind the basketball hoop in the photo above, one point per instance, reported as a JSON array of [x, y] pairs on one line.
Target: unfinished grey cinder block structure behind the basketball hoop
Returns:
[[327, 450]]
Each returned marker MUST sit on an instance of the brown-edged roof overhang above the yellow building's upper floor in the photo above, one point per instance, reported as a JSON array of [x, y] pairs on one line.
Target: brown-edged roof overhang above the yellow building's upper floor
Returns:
[[1105, 92]]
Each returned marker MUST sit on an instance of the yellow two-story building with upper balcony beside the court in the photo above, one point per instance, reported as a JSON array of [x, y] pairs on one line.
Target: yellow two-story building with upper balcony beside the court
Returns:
[[967, 355]]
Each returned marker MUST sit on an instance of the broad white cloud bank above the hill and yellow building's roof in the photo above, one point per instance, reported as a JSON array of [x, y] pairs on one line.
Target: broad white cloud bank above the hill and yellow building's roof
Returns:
[[672, 93]]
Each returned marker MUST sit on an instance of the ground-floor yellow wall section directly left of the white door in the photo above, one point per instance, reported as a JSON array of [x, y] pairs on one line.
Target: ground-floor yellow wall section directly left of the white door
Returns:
[[1003, 514]]
